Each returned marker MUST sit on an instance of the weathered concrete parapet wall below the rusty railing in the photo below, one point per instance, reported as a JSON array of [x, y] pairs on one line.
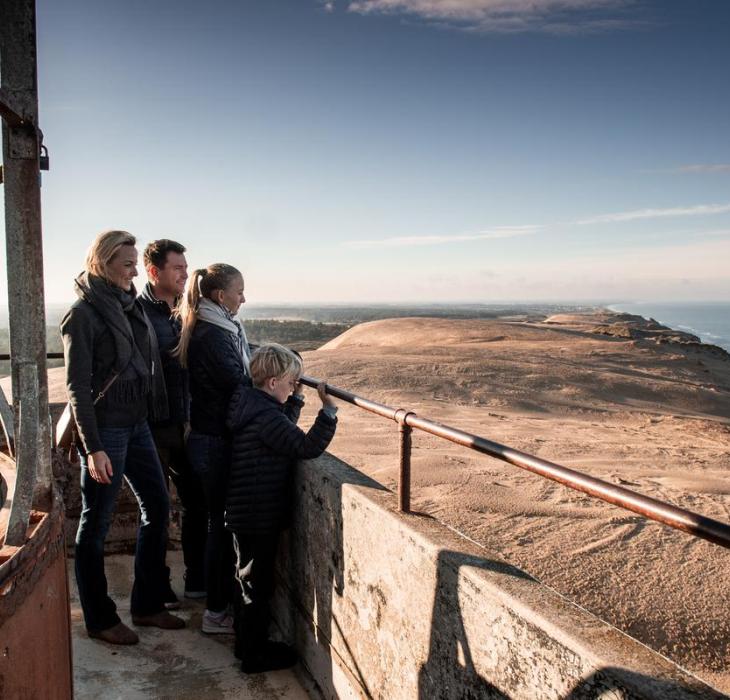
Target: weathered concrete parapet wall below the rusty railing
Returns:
[[386, 605]]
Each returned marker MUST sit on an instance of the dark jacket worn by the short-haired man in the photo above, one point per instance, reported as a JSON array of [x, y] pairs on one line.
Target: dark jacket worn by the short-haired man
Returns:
[[167, 329]]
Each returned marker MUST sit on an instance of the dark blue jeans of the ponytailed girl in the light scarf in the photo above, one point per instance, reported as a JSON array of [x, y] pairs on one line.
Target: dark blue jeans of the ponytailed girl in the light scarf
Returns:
[[210, 458]]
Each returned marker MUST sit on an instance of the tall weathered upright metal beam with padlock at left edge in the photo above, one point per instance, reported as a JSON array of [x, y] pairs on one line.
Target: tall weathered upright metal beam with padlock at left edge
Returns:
[[21, 149]]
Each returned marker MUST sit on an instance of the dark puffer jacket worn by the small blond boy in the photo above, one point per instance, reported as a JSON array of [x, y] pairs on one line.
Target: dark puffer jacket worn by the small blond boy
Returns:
[[266, 446]]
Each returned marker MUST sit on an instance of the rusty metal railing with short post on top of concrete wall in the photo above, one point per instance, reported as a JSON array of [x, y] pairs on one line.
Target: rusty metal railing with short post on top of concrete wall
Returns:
[[693, 523]]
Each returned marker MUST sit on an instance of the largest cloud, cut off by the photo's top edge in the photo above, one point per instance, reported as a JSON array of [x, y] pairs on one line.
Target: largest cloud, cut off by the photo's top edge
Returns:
[[508, 16]]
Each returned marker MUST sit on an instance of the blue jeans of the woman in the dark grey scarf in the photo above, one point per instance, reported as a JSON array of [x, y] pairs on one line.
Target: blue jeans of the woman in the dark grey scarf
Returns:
[[133, 456]]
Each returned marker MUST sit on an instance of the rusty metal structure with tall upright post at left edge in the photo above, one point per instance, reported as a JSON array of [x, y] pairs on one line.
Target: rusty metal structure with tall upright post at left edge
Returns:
[[35, 620]]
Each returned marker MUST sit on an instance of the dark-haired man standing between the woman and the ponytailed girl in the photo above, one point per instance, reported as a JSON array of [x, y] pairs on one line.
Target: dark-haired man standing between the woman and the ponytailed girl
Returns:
[[166, 267]]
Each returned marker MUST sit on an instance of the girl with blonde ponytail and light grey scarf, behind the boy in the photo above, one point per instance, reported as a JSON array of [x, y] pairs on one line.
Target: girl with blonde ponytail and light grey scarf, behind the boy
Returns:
[[214, 349]]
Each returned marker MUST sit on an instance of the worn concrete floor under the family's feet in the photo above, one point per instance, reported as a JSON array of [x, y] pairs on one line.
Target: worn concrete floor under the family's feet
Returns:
[[165, 664]]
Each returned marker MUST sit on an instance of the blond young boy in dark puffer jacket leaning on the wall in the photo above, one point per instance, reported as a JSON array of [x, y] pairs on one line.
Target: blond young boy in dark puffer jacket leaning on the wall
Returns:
[[266, 444]]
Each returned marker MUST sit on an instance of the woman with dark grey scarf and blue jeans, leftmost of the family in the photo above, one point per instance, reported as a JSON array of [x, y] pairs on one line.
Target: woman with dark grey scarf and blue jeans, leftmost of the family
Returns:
[[114, 382]]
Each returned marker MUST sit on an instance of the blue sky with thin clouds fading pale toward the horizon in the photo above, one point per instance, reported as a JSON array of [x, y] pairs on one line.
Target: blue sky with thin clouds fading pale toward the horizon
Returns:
[[396, 150]]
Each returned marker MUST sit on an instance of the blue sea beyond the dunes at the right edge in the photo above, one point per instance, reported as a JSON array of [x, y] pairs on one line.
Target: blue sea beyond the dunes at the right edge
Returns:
[[708, 320]]
